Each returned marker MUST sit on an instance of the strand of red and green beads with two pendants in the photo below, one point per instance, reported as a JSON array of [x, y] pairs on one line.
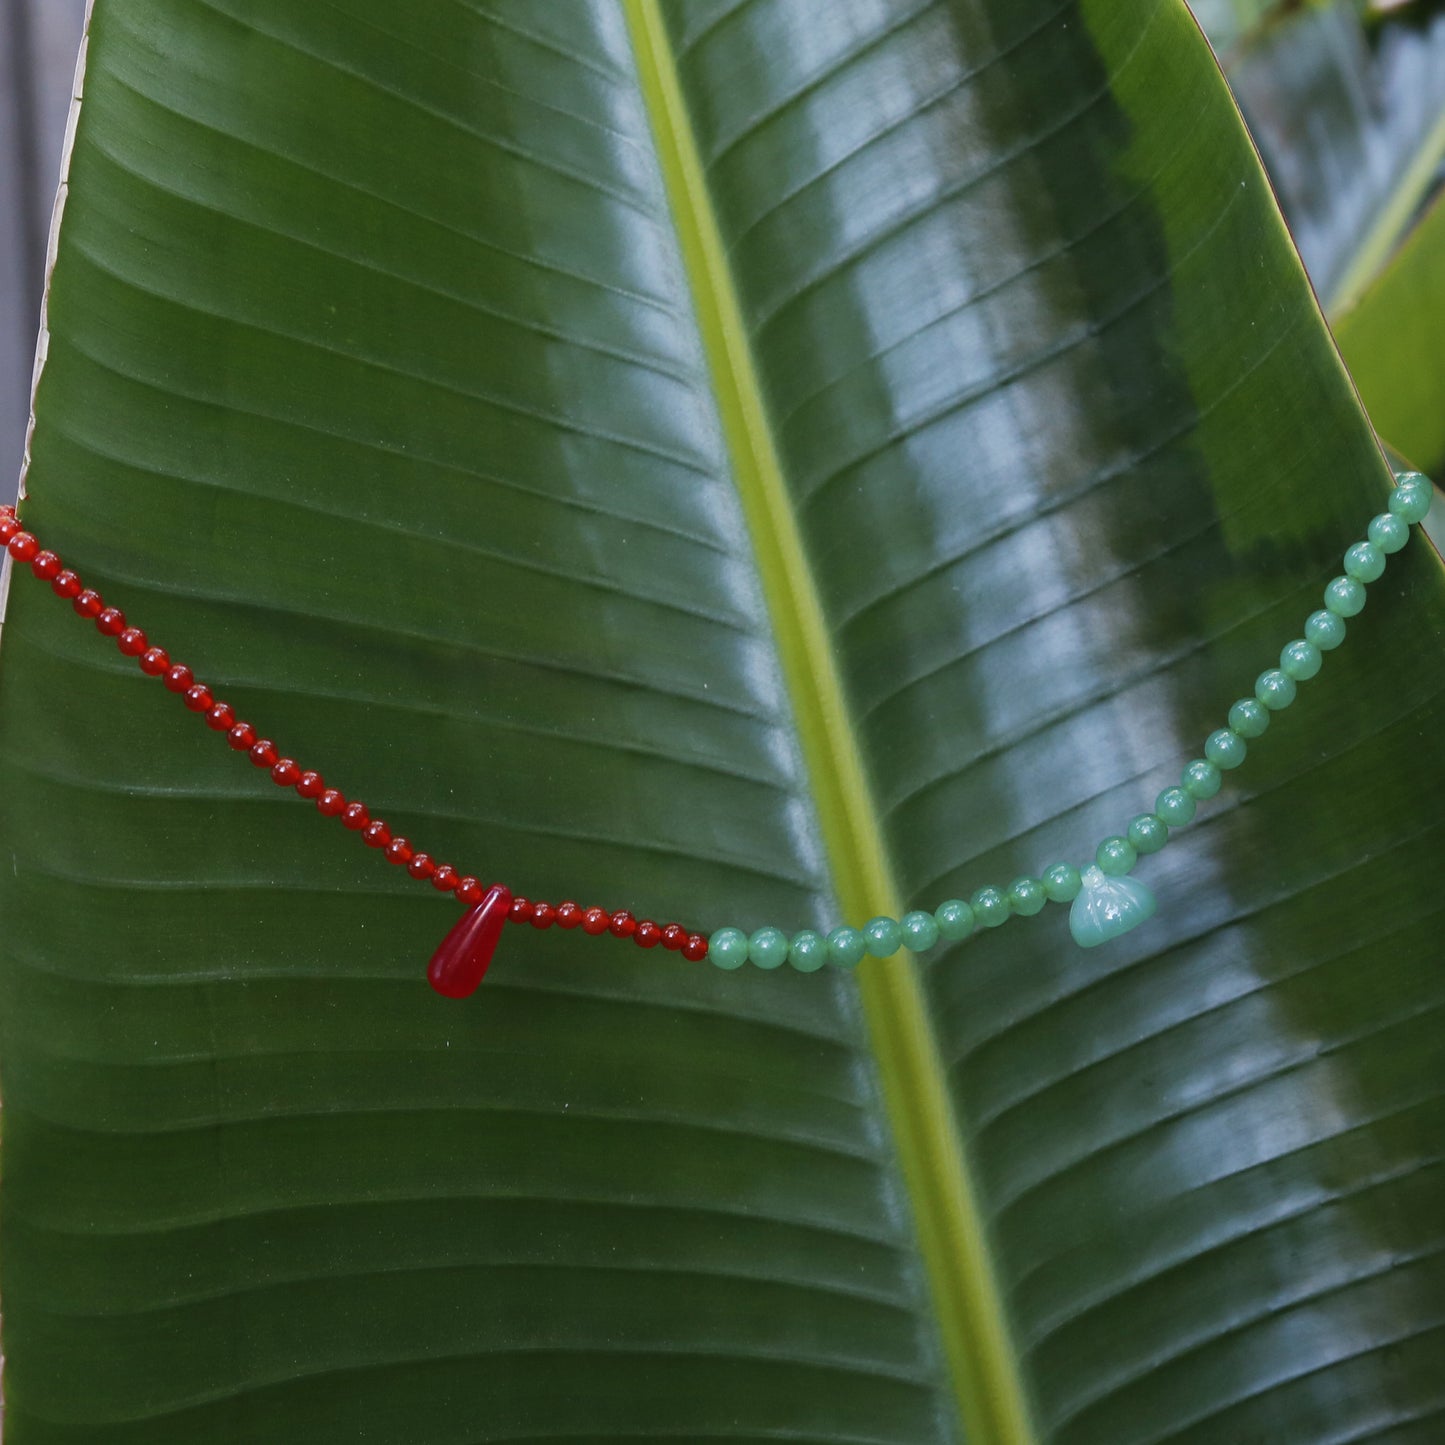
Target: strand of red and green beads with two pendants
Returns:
[[1105, 901]]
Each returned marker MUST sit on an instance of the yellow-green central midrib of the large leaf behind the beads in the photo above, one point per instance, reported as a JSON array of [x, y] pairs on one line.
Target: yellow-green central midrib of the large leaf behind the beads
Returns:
[[978, 1345]]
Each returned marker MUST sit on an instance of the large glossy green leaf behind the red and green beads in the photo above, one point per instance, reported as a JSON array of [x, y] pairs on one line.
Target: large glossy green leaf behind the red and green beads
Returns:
[[748, 462]]
